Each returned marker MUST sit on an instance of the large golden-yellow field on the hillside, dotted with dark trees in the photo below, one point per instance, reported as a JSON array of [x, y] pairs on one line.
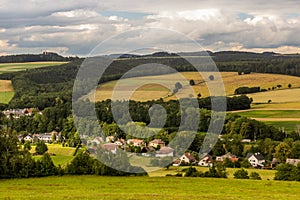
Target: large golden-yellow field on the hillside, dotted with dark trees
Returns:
[[231, 81]]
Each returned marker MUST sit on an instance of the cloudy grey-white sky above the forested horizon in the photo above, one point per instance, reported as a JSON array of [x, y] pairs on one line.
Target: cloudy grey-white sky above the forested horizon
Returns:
[[73, 27]]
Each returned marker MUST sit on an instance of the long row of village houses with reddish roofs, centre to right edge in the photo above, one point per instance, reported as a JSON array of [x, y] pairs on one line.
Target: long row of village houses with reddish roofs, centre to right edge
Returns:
[[157, 148]]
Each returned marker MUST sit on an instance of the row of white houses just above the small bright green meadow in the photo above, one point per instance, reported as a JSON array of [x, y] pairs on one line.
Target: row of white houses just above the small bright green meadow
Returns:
[[44, 137]]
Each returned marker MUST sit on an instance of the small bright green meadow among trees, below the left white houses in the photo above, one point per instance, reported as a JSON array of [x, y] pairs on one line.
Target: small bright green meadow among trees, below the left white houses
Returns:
[[63, 155]]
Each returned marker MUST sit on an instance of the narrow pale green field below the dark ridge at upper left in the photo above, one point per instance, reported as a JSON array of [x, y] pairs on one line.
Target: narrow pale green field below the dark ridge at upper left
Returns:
[[13, 67]]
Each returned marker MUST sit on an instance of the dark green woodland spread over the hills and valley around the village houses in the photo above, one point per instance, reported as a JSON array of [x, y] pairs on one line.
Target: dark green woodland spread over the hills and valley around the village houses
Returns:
[[49, 89]]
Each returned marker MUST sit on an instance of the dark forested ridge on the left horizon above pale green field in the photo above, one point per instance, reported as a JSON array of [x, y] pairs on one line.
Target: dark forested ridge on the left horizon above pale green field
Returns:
[[45, 56]]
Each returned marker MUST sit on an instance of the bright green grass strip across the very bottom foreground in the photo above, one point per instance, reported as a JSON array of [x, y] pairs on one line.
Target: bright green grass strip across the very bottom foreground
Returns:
[[96, 187]]
